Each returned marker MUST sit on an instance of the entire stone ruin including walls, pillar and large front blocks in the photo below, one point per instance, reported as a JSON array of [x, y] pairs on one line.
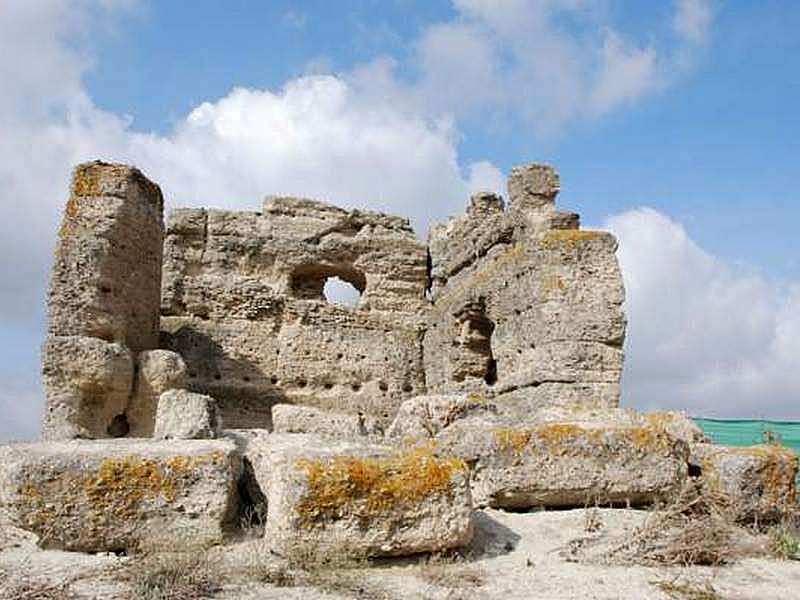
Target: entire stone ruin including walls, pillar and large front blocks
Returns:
[[194, 370]]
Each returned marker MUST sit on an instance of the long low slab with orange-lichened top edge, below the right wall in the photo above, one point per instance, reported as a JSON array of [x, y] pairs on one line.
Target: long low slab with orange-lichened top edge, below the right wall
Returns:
[[565, 464]]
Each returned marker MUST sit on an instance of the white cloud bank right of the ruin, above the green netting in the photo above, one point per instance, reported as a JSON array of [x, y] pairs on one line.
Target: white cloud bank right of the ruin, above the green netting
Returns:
[[703, 336]]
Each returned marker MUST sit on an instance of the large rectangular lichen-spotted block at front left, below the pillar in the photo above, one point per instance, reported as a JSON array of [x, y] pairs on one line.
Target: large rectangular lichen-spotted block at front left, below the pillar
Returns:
[[112, 495]]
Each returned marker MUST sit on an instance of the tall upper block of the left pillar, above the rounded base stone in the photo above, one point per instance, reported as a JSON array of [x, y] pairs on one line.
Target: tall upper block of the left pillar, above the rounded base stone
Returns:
[[107, 271]]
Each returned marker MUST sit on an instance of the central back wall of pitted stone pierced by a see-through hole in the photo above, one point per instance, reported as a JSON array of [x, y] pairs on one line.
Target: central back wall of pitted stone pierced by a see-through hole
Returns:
[[243, 304]]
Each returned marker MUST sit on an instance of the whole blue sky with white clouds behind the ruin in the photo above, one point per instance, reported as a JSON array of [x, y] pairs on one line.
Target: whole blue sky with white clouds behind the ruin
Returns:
[[673, 123]]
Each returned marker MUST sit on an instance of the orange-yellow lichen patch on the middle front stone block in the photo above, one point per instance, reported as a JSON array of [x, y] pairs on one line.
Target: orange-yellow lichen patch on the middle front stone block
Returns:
[[364, 487]]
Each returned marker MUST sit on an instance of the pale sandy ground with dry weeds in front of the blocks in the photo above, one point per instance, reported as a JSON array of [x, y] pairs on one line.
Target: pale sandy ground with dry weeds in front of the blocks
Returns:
[[513, 556]]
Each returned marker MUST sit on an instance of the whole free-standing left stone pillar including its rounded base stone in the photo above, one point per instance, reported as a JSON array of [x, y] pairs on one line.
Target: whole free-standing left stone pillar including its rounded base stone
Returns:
[[104, 298]]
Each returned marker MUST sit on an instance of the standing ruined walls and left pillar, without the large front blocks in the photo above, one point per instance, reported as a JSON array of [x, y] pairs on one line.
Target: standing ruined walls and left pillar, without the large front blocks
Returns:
[[511, 302]]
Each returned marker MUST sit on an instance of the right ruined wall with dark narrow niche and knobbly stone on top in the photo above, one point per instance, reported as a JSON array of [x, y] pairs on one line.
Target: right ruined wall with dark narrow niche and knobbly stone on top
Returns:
[[525, 304]]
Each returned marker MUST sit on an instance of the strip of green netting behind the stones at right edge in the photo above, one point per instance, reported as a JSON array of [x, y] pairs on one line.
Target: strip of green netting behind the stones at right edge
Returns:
[[749, 432]]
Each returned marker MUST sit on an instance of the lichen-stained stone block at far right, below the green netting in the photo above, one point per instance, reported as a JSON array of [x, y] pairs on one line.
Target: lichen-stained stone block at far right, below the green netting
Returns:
[[760, 481]]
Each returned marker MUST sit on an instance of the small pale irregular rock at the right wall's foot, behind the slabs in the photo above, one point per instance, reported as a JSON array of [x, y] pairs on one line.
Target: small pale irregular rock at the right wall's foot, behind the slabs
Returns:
[[425, 416]]
